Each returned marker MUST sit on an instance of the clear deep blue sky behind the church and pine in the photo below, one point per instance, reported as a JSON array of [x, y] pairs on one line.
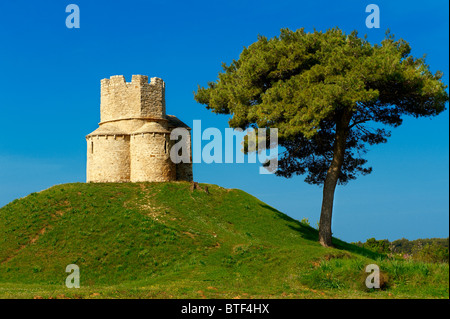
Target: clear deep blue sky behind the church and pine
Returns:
[[50, 98]]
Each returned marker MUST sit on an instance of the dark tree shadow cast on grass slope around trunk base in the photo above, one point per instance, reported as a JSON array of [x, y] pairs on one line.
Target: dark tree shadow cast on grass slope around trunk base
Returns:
[[309, 233]]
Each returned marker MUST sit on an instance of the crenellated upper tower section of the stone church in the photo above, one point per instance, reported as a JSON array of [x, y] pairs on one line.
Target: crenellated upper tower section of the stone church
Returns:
[[138, 98]]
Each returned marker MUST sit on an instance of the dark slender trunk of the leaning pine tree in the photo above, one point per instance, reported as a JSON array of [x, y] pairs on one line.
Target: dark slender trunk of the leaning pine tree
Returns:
[[325, 234]]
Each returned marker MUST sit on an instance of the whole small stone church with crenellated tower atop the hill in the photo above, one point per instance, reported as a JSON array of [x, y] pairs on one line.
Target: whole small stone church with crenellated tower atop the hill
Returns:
[[132, 143]]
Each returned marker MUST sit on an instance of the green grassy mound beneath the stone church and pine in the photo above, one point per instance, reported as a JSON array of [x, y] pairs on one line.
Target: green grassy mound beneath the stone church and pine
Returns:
[[165, 240]]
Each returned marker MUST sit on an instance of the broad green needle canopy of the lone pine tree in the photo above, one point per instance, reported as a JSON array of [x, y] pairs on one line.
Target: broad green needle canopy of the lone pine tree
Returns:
[[311, 86]]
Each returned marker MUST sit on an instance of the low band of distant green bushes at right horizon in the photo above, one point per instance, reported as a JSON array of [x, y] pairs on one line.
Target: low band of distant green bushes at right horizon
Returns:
[[427, 250]]
